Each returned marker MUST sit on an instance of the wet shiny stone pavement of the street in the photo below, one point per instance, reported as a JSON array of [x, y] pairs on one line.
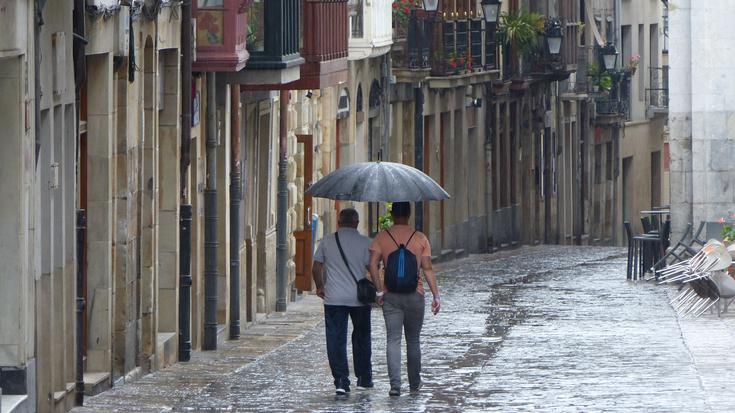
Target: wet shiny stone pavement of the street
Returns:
[[543, 328]]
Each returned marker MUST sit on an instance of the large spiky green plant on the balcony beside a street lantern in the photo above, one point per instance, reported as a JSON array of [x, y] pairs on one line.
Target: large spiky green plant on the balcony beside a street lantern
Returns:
[[520, 31]]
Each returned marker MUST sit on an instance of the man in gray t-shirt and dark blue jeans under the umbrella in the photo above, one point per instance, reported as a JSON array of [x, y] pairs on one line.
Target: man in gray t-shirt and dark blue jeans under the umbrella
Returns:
[[336, 286]]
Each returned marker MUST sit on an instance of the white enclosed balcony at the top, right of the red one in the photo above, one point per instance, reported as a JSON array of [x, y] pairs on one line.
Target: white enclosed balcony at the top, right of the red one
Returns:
[[371, 34]]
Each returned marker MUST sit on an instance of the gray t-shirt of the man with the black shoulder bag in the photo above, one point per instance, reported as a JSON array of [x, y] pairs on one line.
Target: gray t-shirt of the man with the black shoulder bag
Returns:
[[339, 287]]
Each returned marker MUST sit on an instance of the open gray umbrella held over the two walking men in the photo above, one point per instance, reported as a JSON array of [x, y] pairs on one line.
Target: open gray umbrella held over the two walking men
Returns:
[[378, 182]]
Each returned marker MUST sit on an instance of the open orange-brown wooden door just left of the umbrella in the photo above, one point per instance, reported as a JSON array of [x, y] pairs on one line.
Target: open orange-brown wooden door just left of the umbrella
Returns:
[[304, 239]]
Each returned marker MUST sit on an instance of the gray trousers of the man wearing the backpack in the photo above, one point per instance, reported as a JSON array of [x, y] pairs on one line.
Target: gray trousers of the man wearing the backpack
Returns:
[[403, 313]]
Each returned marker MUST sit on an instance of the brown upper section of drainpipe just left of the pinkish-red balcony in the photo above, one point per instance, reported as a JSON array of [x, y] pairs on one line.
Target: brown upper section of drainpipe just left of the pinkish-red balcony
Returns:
[[186, 59]]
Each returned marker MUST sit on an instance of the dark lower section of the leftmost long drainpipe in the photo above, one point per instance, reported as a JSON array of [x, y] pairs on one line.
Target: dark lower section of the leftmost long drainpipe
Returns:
[[79, 372]]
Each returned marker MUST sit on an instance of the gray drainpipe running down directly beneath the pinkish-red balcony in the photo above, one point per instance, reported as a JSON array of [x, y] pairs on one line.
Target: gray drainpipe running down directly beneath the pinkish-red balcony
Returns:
[[210, 221]]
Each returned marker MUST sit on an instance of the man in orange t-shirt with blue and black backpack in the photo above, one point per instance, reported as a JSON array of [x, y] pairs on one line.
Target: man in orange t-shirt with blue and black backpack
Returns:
[[406, 255]]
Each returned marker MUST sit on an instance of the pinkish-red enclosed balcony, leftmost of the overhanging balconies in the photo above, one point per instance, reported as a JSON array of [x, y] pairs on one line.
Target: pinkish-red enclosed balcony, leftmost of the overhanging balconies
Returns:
[[221, 36]]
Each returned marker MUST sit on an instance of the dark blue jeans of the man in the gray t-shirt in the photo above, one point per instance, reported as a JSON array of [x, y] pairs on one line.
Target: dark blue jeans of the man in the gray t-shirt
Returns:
[[335, 318]]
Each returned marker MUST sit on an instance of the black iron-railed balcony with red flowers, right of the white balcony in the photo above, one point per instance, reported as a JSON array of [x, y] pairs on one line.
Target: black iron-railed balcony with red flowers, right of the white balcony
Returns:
[[451, 52]]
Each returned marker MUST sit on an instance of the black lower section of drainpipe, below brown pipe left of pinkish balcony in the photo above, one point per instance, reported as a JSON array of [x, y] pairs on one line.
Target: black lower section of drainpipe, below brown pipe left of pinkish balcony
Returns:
[[185, 283]]
